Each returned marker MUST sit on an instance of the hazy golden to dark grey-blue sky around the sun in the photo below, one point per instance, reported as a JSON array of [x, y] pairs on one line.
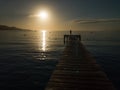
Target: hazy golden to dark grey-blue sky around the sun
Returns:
[[62, 14]]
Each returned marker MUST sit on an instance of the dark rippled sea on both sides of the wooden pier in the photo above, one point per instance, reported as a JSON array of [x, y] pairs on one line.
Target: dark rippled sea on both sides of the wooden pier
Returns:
[[28, 58]]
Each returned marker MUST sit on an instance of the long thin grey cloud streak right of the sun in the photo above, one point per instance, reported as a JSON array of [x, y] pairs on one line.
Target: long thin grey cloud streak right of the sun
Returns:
[[90, 21]]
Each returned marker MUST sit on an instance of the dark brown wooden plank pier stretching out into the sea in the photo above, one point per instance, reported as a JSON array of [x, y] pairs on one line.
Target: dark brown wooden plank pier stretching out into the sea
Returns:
[[77, 69]]
